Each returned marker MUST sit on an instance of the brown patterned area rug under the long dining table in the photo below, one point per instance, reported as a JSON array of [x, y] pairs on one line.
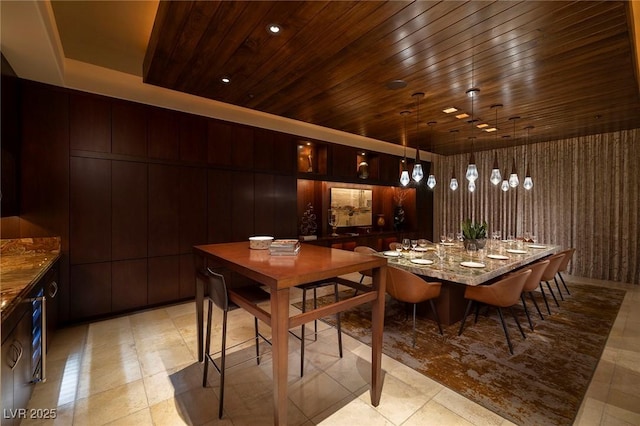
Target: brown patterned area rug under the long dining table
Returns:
[[545, 380]]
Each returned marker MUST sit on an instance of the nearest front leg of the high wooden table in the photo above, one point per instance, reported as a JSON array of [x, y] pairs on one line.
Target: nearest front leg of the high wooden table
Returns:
[[280, 348]]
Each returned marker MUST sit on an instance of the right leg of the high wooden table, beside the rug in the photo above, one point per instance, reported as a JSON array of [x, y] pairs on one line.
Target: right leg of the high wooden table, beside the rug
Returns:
[[377, 328]]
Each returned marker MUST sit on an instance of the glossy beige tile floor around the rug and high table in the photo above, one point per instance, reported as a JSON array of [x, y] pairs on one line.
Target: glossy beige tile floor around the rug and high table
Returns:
[[142, 369]]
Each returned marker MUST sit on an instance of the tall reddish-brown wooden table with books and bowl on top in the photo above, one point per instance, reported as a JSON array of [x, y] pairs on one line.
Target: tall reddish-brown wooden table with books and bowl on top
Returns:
[[280, 273]]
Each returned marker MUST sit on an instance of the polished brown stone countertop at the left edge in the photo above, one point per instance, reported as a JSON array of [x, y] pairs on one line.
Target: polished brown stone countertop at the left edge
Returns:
[[23, 261]]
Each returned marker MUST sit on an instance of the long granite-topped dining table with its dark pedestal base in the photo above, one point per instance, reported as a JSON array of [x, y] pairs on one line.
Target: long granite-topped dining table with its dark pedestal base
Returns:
[[460, 268]]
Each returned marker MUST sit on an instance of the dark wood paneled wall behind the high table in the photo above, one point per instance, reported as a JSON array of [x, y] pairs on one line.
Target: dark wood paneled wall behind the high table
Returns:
[[131, 188]]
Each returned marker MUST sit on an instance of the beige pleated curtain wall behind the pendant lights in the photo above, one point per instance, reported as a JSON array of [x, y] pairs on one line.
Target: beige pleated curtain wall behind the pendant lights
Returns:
[[586, 195]]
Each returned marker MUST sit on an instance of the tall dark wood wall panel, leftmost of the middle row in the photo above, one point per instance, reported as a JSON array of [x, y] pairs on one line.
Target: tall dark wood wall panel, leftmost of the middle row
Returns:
[[90, 210]]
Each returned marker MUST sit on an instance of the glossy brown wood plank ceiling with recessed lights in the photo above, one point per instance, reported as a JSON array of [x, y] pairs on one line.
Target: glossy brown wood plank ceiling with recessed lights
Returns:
[[564, 67]]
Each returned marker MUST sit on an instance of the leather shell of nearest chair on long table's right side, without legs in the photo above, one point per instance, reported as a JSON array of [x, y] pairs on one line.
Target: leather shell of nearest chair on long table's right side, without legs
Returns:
[[503, 293]]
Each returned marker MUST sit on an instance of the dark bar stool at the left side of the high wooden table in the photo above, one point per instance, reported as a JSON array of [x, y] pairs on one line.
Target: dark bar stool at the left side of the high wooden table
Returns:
[[220, 295]]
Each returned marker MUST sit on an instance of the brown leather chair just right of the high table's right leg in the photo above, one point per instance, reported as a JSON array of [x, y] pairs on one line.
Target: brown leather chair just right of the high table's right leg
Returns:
[[408, 287]]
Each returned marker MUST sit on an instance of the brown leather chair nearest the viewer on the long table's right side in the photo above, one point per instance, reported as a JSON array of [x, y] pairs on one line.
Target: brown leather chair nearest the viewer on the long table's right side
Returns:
[[503, 293]]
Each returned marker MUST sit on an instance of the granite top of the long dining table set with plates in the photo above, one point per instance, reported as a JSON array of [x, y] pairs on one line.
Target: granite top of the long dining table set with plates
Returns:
[[511, 256]]
